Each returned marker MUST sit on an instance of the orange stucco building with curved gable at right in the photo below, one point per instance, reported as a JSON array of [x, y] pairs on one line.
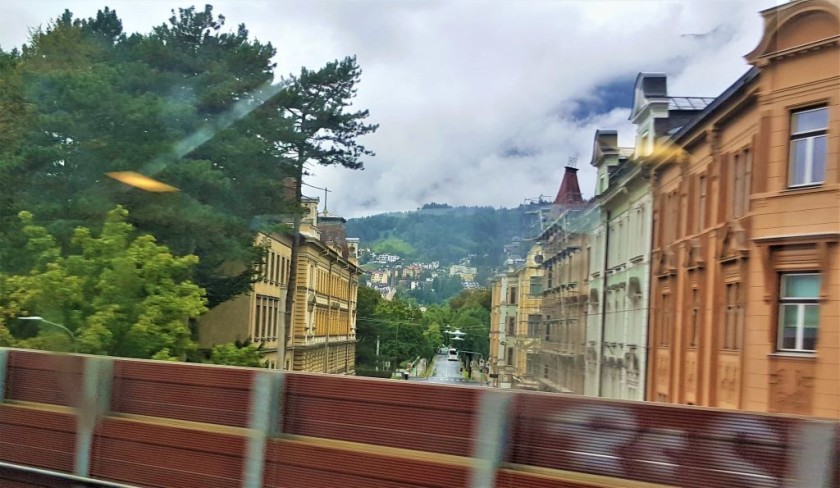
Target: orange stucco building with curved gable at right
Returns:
[[745, 283]]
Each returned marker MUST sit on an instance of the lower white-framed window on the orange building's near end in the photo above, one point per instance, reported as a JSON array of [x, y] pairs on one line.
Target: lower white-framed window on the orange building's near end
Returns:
[[799, 311]]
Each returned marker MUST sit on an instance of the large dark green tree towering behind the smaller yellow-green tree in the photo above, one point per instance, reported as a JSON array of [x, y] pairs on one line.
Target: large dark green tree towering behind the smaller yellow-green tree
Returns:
[[83, 99]]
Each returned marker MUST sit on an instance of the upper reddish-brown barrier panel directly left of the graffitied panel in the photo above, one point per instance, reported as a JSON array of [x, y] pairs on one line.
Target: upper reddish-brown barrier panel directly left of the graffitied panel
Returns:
[[381, 412]]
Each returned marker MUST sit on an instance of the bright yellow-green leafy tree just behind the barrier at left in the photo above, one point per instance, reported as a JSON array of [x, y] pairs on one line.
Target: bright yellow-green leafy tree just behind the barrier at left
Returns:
[[118, 293]]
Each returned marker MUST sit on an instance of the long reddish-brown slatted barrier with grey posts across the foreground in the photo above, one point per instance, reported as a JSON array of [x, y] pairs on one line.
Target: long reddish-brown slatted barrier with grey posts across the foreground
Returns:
[[74, 420]]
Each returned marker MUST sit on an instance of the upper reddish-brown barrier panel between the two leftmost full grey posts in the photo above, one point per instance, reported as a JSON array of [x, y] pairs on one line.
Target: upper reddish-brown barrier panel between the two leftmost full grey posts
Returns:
[[198, 393]]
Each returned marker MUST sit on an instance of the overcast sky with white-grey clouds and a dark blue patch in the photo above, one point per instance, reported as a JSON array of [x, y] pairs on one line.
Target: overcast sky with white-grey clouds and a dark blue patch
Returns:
[[479, 102]]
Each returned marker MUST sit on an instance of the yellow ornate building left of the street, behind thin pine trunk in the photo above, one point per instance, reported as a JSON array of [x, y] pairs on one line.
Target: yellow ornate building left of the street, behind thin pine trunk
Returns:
[[322, 336]]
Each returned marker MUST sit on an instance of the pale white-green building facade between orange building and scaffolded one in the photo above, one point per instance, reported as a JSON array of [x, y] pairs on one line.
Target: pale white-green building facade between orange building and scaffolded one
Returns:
[[618, 273]]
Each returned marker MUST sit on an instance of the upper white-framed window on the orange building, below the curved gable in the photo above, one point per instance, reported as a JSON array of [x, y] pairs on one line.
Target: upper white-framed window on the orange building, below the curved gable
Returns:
[[808, 139]]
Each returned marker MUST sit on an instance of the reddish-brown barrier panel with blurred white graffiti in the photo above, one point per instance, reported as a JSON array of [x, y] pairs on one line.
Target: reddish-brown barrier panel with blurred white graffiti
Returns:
[[653, 443]]
